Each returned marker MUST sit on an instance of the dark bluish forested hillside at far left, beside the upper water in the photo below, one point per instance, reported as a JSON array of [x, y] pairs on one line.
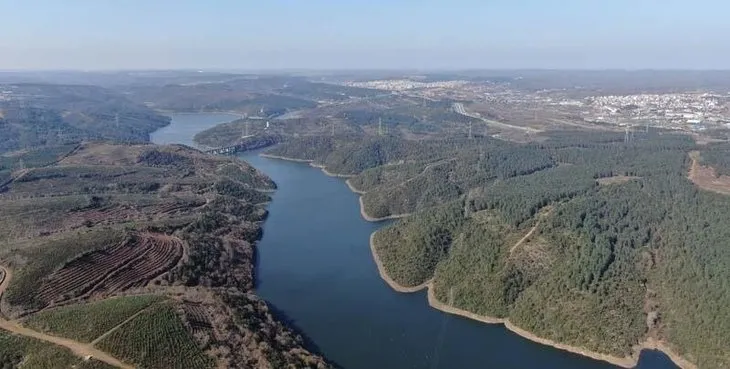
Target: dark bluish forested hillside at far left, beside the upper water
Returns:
[[48, 115]]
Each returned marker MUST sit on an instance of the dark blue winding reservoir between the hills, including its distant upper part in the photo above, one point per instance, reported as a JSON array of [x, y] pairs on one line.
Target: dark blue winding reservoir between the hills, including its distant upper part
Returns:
[[316, 269]]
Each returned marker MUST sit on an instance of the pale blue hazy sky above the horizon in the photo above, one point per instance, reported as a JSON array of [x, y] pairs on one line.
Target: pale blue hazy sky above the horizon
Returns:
[[341, 34]]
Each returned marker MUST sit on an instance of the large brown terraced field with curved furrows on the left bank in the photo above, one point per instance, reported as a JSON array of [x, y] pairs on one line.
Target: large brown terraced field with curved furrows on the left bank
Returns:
[[130, 264]]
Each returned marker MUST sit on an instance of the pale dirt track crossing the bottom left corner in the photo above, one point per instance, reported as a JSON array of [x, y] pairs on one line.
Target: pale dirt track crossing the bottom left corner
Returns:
[[79, 349]]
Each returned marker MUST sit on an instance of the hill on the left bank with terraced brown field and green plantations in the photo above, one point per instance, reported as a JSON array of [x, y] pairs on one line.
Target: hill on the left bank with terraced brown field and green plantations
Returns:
[[117, 251]]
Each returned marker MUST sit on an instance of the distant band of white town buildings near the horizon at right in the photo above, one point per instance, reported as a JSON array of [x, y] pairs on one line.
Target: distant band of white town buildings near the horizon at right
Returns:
[[690, 111]]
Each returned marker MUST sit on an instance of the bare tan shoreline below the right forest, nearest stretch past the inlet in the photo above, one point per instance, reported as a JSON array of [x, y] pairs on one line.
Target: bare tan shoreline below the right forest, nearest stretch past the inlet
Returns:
[[625, 362]]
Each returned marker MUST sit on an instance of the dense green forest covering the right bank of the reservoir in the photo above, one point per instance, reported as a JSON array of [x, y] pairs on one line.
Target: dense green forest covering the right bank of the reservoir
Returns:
[[618, 244]]
